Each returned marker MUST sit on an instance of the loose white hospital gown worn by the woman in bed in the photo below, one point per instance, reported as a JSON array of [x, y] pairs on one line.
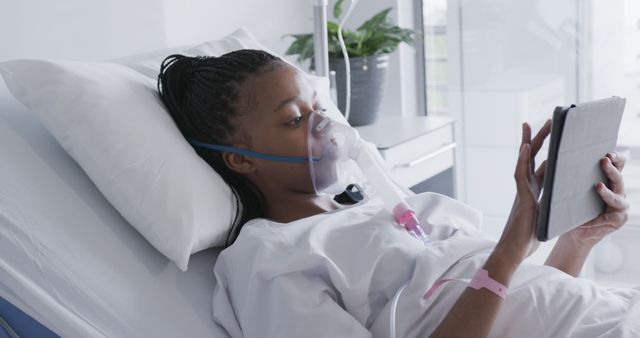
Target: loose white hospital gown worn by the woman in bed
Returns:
[[335, 275]]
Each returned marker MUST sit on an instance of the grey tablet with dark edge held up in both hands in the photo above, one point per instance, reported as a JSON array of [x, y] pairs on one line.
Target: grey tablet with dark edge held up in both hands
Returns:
[[581, 136]]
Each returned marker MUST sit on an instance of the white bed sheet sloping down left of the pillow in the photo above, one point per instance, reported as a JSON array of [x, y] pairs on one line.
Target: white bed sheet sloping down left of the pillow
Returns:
[[68, 259]]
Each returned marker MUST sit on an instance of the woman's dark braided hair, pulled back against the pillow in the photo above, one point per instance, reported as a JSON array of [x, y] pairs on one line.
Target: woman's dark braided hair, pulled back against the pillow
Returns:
[[202, 96]]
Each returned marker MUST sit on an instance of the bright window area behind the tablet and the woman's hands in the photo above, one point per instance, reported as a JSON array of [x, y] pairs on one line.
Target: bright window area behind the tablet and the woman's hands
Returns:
[[494, 64]]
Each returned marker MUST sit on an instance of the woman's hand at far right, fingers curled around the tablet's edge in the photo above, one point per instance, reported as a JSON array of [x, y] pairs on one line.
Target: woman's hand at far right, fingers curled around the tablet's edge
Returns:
[[615, 215]]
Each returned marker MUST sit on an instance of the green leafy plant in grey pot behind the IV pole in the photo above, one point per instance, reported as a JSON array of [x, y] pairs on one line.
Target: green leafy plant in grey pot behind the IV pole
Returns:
[[368, 47]]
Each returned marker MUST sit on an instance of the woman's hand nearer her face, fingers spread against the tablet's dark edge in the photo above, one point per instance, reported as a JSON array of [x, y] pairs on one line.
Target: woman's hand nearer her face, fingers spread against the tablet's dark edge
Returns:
[[518, 238]]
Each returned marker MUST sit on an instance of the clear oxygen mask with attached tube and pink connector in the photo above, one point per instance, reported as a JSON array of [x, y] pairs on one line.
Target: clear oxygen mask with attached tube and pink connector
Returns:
[[334, 149]]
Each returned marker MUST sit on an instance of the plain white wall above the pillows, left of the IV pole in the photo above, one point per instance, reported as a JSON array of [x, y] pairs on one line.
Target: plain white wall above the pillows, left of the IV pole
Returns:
[[103, 29]]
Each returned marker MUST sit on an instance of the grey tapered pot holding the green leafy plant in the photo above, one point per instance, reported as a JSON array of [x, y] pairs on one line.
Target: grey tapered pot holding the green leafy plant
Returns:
[[368, 75]]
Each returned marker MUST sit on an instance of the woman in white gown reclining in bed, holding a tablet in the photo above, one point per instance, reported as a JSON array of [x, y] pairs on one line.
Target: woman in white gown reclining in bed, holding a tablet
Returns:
[[305, 265]]
